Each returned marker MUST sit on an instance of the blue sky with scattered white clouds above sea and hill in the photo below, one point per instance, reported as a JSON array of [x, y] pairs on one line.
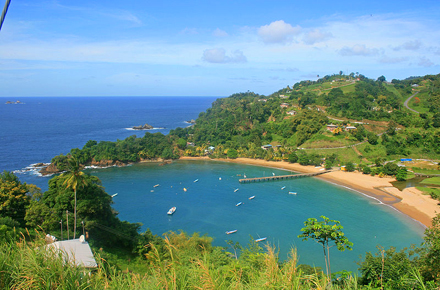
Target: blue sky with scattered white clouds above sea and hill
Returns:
[[209, 48]]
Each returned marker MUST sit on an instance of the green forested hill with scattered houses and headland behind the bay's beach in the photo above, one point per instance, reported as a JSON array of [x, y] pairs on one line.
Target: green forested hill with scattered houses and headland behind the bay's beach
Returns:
[[370, 114]]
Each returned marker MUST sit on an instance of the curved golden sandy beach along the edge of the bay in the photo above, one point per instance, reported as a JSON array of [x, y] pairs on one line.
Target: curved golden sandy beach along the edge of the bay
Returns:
[[410, 201]]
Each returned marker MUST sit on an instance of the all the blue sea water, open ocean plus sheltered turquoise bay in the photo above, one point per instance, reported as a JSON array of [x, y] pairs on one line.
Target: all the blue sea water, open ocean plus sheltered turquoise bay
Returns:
[[204, 192]]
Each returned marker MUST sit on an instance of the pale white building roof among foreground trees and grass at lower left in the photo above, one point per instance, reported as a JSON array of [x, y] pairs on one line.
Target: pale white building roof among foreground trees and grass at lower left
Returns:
[[78, 252]]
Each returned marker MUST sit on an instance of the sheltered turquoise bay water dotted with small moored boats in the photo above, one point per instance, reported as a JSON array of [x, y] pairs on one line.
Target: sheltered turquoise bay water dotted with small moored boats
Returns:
[[208, 206]]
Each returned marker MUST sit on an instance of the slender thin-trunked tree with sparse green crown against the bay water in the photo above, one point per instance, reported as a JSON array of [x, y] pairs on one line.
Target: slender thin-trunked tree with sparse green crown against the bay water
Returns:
[[326, 232]]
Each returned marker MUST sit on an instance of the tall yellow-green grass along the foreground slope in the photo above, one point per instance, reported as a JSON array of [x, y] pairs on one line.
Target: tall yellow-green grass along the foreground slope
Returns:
[[180, 263]]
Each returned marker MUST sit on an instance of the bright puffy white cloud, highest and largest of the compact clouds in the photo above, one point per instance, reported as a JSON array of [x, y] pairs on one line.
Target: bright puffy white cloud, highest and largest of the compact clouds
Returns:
[[278, 32]]
